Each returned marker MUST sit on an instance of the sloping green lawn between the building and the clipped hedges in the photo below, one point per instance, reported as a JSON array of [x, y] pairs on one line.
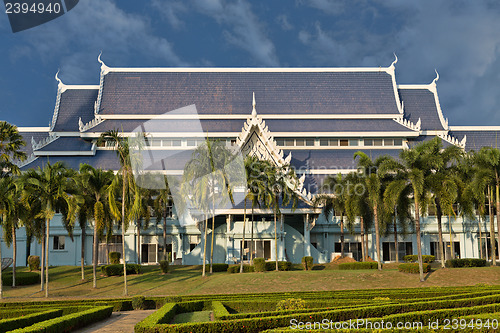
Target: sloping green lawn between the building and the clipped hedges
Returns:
[[65, 281]]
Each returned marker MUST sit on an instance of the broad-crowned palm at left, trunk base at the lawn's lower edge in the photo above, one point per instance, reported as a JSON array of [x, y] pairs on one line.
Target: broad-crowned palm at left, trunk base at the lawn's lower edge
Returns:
[[54, 187]]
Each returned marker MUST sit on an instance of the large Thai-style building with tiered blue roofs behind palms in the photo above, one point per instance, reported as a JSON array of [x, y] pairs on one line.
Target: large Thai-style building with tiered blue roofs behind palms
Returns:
[[313, 118]]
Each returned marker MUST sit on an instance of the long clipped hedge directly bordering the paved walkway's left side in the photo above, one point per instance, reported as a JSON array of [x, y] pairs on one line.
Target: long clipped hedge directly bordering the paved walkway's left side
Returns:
[[69, 322]]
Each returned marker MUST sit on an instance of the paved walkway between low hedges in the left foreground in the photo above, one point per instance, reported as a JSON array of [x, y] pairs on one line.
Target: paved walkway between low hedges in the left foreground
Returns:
[[118, 322]]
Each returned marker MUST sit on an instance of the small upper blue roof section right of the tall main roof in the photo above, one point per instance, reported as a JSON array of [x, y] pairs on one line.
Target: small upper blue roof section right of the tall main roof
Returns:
[[420, 103]]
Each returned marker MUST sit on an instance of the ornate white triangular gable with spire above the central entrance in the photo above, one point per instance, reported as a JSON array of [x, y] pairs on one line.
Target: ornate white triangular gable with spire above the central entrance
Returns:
[[256, 140]]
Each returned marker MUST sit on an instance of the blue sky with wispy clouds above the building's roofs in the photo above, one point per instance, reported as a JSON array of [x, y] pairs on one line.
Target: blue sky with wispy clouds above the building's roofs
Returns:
[[460, 39]]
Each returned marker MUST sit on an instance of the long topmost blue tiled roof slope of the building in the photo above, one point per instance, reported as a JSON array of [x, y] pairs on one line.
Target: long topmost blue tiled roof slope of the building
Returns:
[[231, 92]]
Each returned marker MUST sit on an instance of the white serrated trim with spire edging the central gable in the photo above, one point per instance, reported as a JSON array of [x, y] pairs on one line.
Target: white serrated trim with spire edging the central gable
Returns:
[[277, 154]]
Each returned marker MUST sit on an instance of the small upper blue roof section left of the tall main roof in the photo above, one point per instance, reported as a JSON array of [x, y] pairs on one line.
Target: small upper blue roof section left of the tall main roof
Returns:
[[75, 103]]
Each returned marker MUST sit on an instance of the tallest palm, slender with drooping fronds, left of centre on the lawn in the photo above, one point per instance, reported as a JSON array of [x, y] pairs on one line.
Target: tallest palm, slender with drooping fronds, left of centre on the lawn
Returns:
[[125, 179]]
